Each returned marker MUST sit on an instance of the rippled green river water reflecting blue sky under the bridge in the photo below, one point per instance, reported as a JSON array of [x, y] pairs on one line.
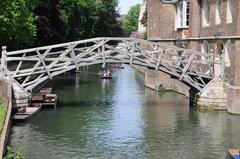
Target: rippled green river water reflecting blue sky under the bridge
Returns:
[[121, 119]]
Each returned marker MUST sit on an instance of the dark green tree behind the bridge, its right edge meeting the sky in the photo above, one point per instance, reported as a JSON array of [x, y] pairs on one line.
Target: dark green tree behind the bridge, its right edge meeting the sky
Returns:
[[89, 18]]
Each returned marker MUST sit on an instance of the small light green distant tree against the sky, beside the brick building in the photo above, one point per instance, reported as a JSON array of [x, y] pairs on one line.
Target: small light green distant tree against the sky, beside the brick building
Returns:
[[130, 21]]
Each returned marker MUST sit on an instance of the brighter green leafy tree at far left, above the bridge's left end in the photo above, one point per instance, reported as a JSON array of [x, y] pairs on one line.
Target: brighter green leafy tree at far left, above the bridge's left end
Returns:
[[17, 24]]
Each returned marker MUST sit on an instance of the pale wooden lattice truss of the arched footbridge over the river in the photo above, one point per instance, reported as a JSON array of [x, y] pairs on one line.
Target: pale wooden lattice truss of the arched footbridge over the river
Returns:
[[28, 68]]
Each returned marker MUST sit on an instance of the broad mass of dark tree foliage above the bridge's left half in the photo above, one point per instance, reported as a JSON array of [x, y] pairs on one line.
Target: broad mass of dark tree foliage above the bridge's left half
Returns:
[[25, 23]]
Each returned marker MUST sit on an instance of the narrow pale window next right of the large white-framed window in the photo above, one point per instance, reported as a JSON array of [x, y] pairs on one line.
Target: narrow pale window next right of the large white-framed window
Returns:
[[206, 12]]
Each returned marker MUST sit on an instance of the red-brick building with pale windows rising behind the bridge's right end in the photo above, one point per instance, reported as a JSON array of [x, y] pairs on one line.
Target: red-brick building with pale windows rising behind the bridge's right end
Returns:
[[201, 25]]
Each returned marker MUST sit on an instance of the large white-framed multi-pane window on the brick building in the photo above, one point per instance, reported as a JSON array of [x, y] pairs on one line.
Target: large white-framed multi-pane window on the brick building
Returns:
[[183, 14]]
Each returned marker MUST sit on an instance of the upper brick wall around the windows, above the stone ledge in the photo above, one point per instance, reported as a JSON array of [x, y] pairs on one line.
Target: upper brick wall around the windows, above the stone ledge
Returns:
[[161, 20]]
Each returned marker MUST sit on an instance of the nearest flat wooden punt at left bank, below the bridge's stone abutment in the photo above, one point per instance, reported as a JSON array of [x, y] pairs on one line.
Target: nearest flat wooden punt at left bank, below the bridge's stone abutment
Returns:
[[24, 114]]
